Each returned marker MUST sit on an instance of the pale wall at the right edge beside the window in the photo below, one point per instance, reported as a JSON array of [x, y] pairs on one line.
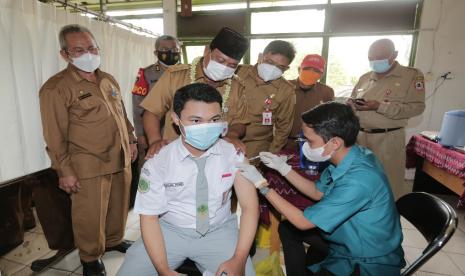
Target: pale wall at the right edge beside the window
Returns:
[[441, 48]]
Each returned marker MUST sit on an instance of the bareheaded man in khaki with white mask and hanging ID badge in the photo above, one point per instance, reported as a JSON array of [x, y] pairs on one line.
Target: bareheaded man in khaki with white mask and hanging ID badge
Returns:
[[270, 99]]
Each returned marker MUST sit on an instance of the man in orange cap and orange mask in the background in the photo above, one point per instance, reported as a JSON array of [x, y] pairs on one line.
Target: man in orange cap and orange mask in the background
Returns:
[[309, 93]]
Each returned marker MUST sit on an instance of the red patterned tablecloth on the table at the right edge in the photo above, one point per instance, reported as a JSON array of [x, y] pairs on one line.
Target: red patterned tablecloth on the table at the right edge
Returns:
[[450, 160]]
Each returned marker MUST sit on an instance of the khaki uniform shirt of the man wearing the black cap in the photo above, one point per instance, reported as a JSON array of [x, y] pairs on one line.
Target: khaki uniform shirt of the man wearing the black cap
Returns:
[[159, 101]]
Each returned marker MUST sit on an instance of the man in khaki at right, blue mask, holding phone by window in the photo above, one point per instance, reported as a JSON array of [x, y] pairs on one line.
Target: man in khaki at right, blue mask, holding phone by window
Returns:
[[384, 100]]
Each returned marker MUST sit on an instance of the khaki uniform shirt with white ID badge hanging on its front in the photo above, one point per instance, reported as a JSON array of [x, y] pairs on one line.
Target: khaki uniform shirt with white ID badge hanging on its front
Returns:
[[282, 109]]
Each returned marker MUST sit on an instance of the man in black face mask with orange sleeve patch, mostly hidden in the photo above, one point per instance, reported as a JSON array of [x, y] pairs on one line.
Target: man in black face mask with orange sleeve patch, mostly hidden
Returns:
[[167, 52]]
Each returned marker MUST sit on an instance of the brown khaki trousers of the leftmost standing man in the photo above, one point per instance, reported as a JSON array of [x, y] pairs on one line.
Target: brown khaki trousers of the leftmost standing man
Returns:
[[99, 212]]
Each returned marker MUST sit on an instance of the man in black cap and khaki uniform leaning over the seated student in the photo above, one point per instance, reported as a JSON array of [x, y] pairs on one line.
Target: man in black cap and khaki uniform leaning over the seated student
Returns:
[[215, 68]]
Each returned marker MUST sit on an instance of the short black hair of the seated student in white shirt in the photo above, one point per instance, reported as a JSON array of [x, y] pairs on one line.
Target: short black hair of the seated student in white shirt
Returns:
[[200, 92]]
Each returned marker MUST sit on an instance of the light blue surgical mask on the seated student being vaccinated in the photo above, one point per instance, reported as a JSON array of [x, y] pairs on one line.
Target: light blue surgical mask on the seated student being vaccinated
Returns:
[[203, 136]]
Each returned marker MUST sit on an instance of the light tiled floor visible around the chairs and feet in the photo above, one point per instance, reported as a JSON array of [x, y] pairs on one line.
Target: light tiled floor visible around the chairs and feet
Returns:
[[449, 261]]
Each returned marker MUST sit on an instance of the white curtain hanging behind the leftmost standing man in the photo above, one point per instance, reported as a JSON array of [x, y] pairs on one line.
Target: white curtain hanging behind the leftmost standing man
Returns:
[[29, 55]]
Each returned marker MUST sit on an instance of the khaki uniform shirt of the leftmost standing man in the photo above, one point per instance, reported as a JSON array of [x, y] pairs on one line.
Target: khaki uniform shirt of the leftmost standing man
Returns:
[[85, 124]]
